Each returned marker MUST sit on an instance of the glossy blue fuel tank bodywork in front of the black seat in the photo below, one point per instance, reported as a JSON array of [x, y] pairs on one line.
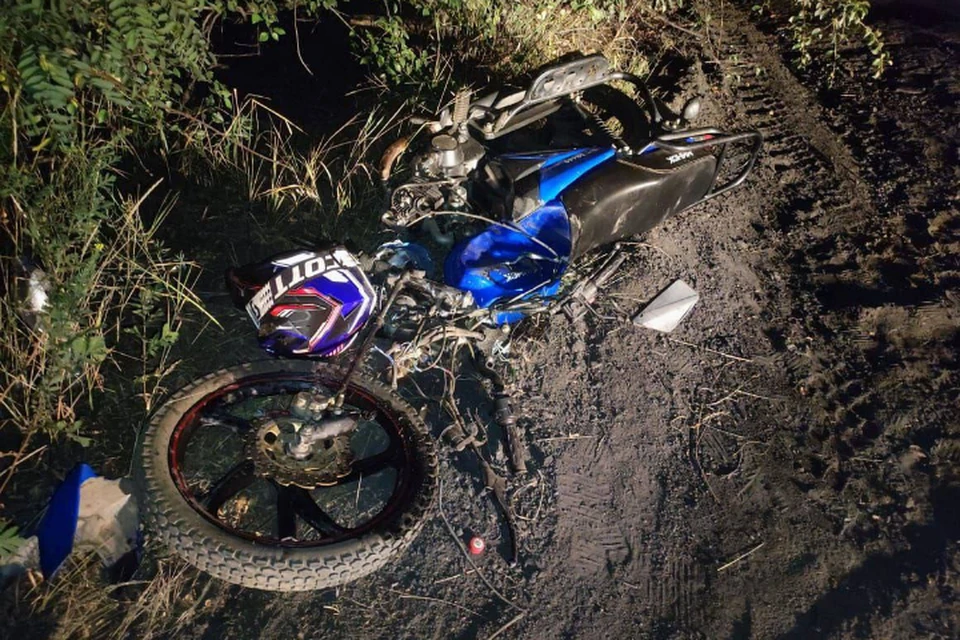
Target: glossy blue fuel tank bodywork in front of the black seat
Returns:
[[524, 257]]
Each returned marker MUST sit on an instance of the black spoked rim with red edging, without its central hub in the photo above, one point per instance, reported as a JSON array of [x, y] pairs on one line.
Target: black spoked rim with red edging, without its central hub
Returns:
[[212, 467]]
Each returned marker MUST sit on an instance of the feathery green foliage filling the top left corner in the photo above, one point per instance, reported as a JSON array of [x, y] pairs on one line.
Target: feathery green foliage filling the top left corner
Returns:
[[75, 69]]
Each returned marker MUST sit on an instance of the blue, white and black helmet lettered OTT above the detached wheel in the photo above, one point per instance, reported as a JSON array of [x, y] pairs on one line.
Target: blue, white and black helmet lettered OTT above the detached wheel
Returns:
[[305, 303]]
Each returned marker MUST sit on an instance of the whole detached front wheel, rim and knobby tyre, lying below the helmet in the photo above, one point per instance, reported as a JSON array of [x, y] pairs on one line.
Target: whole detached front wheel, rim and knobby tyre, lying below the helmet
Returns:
[[231, 484]]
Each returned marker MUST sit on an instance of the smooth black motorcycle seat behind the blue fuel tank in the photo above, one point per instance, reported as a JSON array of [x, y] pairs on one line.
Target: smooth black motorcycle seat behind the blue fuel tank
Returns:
[[623, 198]]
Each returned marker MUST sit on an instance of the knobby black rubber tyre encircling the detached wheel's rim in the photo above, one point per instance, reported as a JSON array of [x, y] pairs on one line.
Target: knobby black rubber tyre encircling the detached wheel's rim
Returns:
[[168, 515]]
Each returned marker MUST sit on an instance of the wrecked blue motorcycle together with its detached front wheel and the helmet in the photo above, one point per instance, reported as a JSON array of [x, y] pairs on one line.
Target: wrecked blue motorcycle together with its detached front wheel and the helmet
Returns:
[[296, 474]]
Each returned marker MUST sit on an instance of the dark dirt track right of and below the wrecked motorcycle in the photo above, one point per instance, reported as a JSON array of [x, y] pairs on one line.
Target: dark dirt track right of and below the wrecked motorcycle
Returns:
[[784, 465]]
